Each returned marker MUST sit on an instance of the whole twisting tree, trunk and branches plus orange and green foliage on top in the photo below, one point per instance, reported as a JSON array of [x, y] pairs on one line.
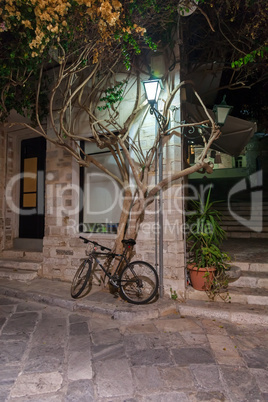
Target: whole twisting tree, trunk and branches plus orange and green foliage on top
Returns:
[[84, 80]]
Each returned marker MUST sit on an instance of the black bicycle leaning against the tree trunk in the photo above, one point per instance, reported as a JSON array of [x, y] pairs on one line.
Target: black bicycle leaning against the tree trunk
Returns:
[[137, 282]]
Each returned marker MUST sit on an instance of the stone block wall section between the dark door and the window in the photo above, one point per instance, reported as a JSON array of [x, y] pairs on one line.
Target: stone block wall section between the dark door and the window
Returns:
[[61, 201]]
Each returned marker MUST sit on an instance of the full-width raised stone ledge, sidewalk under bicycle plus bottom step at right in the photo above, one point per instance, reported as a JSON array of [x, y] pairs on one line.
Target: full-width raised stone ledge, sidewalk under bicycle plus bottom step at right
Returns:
[[57, 293]]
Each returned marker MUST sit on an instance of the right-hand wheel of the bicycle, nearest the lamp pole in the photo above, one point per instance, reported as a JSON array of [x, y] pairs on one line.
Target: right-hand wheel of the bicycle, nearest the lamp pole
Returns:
[[138, 282]]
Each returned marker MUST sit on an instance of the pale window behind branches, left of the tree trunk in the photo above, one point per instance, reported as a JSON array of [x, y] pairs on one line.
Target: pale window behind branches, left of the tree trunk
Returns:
[[101, 194]]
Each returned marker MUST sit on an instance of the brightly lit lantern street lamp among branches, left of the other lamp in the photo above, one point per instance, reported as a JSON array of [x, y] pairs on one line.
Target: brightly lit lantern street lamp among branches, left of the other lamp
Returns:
[[152, 90]]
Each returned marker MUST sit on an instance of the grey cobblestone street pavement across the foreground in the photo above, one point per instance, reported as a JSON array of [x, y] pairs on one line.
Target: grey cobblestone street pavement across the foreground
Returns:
[[49, 354]]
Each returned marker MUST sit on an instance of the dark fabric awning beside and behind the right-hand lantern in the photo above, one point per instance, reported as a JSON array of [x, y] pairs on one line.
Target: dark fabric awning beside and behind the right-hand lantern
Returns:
[[236, 133]]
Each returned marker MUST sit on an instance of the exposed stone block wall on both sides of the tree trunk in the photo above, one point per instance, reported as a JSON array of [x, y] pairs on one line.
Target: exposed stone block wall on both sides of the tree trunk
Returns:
[[63, 250]]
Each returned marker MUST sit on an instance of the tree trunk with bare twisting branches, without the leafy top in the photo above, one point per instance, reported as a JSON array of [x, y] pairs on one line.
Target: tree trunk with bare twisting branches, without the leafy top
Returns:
[[82, 92]]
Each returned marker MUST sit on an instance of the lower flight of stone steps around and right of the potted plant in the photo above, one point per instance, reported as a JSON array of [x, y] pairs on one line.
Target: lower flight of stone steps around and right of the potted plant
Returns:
[[251, 288]]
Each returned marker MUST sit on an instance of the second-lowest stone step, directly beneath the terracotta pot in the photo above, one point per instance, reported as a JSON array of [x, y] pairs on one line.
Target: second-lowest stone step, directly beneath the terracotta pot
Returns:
[[242, 295]]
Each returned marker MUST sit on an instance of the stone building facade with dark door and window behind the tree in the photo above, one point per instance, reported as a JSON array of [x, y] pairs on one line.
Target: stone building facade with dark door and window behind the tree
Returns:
[[46, 202]]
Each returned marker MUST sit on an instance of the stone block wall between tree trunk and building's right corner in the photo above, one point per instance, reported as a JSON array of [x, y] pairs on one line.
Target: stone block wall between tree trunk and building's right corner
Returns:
[[173, 234]]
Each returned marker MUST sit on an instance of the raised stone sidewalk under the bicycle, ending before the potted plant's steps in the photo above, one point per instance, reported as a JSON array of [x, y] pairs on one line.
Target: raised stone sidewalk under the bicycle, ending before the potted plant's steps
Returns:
[[57, 293]]
